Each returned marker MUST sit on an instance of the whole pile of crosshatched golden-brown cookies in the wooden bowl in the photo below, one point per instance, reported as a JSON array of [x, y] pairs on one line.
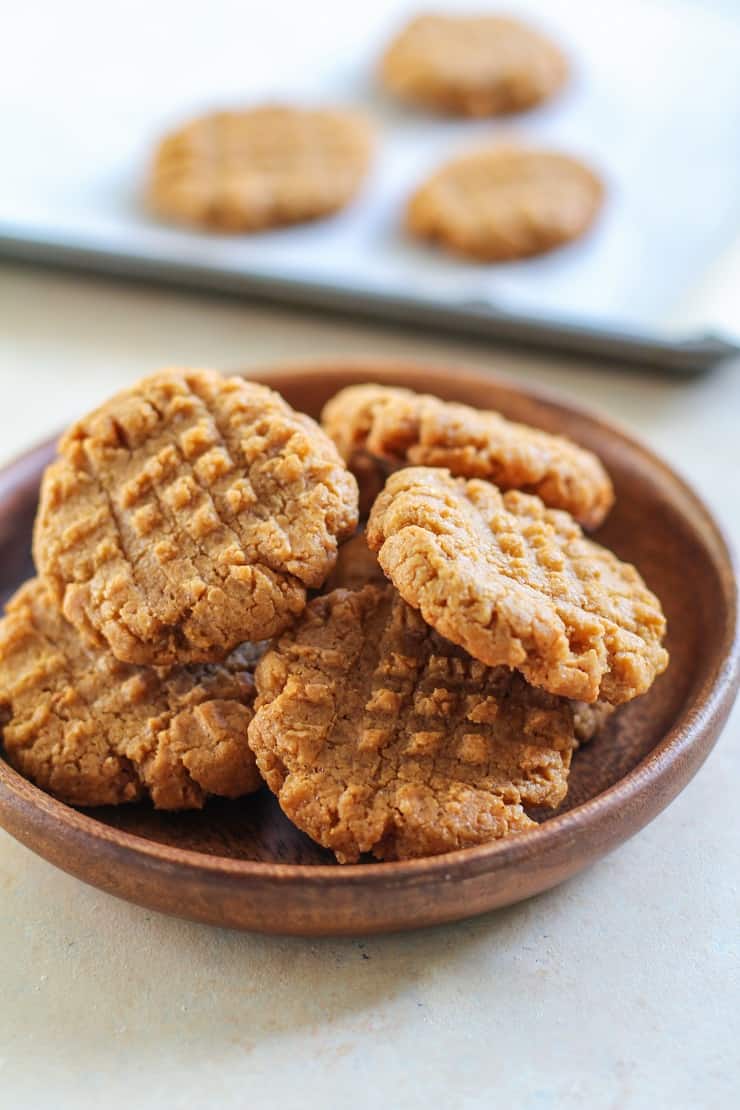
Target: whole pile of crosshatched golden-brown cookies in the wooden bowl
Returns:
[[430, 697]]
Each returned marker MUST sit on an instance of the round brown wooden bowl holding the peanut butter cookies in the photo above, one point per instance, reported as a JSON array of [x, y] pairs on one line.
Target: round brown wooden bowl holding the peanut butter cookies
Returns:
[[244, 865]]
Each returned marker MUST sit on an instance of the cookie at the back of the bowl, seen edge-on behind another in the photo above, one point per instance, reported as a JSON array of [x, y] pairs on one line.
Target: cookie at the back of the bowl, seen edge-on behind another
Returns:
[[394, 428]]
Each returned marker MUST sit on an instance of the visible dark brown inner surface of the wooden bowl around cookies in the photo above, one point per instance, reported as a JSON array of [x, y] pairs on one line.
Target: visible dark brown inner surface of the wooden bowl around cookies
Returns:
[[644, 528]]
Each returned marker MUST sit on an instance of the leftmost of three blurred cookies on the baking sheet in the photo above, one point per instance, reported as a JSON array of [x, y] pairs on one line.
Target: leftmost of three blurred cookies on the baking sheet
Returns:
[[260, 168]]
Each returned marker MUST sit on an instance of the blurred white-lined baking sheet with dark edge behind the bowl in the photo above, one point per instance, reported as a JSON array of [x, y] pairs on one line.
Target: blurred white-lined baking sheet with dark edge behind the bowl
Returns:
[[654, 105]]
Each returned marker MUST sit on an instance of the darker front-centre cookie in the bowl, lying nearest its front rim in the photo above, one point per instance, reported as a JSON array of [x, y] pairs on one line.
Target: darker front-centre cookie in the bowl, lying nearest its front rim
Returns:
[[380, 736]]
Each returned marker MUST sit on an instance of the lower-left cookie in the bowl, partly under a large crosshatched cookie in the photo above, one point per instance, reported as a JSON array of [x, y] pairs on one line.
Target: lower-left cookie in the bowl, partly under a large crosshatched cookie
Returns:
[[96, 732]]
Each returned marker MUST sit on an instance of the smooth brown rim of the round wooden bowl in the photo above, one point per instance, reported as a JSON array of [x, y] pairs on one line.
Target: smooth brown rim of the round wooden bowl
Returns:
[[708, 705]]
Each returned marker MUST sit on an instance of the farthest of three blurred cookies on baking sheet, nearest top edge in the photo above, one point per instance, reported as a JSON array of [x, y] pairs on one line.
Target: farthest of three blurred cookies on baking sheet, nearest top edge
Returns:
[[473, 65]]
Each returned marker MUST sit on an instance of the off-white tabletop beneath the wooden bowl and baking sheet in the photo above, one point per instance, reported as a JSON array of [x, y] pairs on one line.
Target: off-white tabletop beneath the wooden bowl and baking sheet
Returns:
[[621, 990]]
